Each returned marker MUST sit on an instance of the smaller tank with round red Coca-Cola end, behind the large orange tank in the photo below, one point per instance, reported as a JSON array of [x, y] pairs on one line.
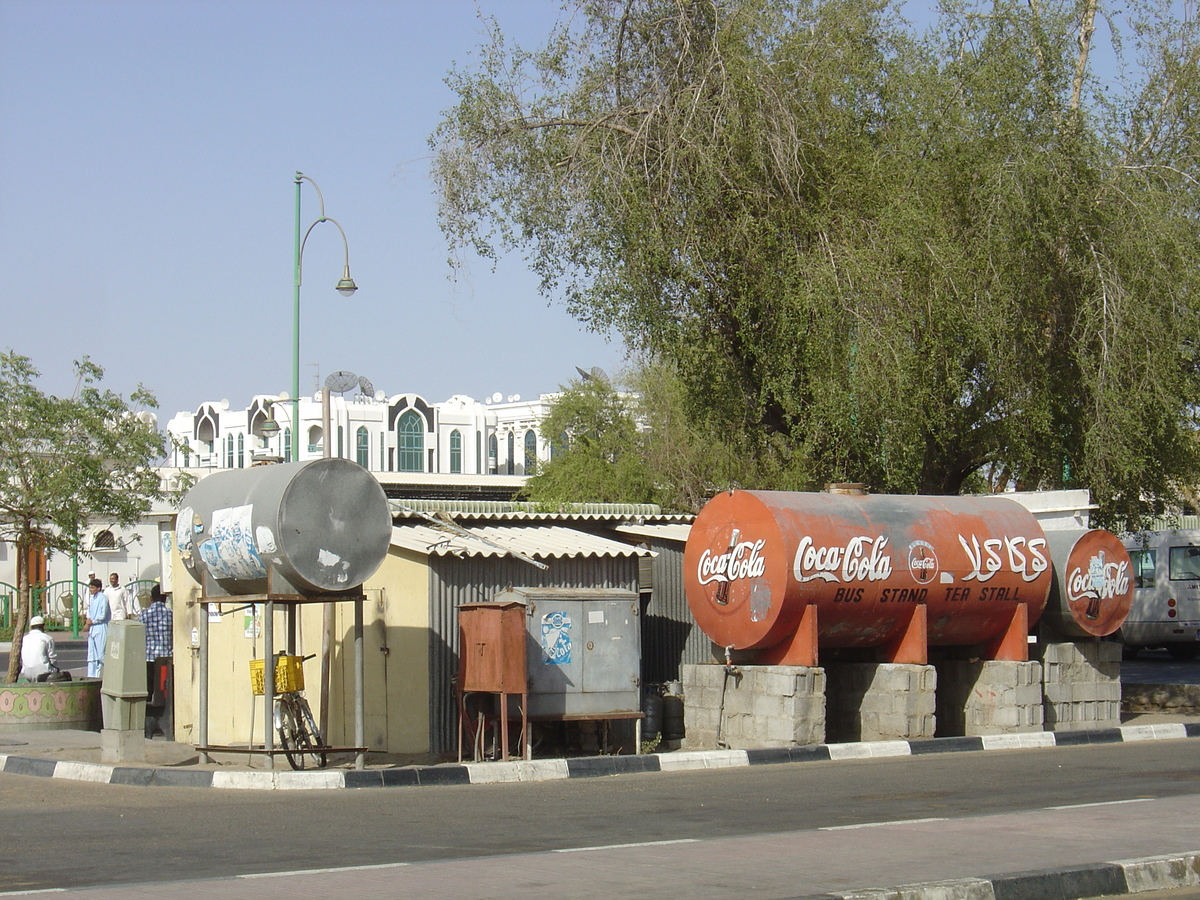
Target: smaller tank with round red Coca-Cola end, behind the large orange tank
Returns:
[[1093, 590]]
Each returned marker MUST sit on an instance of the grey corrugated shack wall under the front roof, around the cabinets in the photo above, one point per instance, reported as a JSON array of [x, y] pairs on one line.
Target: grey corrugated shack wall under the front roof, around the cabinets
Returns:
[[455, 581]]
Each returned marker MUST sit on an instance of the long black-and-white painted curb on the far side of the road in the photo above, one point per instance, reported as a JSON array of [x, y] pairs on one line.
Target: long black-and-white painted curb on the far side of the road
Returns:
[[513, 771]]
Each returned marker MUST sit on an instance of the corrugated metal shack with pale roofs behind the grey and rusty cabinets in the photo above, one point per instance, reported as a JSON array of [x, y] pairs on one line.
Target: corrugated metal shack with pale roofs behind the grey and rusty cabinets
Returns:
[[472, 551]]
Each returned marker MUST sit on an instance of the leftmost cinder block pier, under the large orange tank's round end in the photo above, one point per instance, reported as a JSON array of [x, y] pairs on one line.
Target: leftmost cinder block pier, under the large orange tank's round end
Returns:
[[753, 707]]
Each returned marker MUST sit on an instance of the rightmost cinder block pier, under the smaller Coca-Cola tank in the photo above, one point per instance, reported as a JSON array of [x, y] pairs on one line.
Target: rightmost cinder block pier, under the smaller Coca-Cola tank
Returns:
[[1081, 685]]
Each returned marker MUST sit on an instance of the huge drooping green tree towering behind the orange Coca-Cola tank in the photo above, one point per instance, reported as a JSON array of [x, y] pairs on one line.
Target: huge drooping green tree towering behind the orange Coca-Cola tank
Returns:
[[869, 255]]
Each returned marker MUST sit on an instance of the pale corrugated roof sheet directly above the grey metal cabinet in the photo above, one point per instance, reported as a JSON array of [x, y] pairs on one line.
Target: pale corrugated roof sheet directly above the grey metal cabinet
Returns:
[[538, 542]]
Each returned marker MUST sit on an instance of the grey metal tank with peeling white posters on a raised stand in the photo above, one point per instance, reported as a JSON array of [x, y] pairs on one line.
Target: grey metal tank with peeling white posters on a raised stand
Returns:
[[322, 526]]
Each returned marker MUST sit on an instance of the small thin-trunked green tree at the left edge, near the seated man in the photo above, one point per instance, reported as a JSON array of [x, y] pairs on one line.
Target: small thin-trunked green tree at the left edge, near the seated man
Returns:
[[64, 461]]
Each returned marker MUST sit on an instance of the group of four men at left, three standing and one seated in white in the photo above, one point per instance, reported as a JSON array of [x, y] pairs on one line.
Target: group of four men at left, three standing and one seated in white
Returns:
[[112, 604]]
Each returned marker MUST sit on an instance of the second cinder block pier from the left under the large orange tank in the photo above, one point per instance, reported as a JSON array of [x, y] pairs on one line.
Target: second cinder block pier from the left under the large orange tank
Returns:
[[880, 701]]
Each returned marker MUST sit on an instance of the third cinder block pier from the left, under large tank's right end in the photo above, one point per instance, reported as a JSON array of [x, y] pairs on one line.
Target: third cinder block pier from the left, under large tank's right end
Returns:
[[988, 698]]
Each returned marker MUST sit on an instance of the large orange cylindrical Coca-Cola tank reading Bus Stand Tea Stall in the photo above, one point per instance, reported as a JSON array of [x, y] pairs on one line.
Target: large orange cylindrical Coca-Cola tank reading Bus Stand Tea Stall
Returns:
[[755, 561]]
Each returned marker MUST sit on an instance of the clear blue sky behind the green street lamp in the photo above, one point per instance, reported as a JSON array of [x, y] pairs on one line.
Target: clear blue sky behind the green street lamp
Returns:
[[148, 153]]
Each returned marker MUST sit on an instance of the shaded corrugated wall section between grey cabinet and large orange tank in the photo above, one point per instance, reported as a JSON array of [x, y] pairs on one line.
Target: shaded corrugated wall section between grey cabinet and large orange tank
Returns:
[[670, 637]]
